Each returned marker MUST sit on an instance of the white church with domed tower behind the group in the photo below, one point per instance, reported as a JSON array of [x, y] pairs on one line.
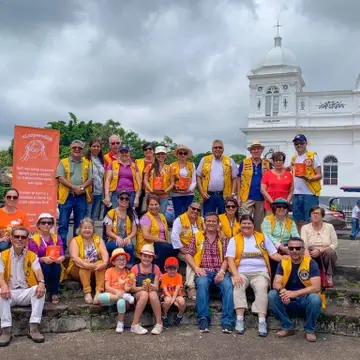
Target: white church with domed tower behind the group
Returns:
[[280, 108]]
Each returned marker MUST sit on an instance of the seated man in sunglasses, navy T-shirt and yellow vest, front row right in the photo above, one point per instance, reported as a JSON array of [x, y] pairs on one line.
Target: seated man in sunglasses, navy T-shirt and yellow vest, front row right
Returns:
[[296, 287]]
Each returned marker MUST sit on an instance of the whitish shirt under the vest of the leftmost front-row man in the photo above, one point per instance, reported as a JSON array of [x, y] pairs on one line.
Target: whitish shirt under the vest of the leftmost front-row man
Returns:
[[17, 278]]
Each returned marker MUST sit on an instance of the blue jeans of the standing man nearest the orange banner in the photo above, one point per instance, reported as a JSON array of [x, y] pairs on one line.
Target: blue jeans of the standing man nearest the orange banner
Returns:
[[77, 205]]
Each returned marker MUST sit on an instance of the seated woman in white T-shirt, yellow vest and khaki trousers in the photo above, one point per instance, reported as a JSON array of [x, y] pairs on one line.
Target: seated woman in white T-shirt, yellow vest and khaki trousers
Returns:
[[248, 255]]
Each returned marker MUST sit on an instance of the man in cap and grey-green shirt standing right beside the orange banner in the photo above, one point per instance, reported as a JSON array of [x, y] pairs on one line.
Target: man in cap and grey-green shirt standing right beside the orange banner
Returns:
[[74, 175]]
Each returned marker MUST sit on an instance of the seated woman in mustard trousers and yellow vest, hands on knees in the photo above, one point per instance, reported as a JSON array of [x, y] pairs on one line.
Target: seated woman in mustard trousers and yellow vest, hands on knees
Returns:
[[88, 258]]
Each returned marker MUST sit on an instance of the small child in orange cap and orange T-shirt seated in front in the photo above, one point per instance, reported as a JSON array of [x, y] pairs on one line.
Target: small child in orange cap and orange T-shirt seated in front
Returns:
[[171, 286]]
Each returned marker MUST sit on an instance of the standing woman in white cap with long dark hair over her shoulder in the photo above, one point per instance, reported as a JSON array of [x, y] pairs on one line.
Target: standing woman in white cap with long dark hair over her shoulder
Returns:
[[157, 179]]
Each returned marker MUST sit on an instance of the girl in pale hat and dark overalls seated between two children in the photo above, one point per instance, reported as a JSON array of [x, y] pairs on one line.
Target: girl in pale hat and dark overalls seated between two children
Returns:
[[146, 290]]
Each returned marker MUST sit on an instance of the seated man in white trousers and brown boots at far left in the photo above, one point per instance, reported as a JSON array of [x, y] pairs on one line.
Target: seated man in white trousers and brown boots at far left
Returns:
[[22, 284]]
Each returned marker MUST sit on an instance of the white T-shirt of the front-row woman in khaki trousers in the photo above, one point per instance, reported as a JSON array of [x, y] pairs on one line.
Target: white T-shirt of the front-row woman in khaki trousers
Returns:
[[251, 259]]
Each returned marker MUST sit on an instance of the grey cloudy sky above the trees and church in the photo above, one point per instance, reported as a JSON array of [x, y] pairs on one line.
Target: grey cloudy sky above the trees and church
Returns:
[[174, 67]]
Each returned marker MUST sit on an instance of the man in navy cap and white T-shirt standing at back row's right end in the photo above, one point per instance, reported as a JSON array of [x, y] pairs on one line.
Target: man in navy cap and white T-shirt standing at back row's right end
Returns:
[[307, 180]]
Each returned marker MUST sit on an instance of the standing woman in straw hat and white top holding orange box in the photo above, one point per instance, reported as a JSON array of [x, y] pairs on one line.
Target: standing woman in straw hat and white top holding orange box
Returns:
[[183, 175]]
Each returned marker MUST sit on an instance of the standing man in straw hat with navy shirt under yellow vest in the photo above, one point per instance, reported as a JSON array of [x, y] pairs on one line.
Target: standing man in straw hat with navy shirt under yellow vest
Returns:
[[251, 170]]
